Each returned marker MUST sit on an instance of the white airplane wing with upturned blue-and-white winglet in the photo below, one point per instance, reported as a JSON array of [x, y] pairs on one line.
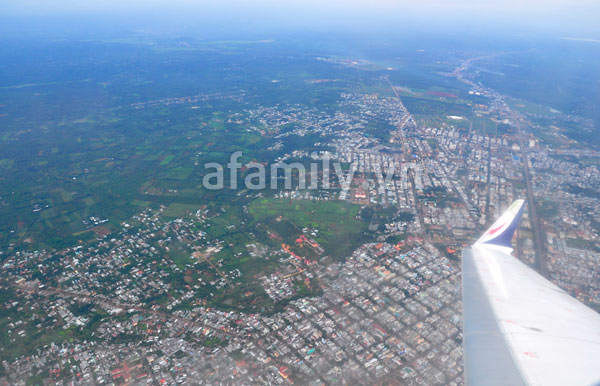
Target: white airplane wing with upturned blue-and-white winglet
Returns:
[[519, 328]]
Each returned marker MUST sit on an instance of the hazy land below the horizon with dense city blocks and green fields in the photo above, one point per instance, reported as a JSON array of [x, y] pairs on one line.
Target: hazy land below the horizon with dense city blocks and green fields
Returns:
[[181, 210]]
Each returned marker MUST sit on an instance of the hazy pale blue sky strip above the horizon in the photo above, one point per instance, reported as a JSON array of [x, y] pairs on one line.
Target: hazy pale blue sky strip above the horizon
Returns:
[[562, 18]]
